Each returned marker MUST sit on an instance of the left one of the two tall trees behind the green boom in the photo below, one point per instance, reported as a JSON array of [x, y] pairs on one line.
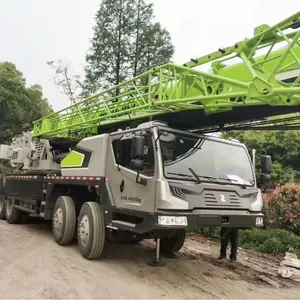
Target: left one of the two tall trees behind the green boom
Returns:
[[108, 56]]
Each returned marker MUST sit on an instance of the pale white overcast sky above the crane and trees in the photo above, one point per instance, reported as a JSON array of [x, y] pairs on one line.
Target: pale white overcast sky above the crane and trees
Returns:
[[36, 31]]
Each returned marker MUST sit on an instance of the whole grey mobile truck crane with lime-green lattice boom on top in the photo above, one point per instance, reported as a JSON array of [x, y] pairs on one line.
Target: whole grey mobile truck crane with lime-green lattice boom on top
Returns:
[[125, 165]]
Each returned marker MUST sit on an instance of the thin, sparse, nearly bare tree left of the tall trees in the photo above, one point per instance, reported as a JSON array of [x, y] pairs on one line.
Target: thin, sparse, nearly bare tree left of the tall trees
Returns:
[[64, 78]]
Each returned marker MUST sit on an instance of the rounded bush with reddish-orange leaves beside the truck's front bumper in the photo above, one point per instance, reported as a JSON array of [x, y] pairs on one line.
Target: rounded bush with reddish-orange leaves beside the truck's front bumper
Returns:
[[282, 208]]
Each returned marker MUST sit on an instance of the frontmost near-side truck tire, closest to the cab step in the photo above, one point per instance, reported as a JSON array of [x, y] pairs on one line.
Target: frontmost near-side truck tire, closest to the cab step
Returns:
[[91, 230]]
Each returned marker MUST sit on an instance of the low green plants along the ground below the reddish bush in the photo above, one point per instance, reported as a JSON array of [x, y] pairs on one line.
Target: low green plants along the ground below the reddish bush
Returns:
[[276, 241]]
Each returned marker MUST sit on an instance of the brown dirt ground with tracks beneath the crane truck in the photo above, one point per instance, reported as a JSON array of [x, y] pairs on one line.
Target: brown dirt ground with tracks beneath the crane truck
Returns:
[[32, 265]]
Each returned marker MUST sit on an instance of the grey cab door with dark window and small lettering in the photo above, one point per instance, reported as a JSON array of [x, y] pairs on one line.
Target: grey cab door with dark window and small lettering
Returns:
[[129, 189]]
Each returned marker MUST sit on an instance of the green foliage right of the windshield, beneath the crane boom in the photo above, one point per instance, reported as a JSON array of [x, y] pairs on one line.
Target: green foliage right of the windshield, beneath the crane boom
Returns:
[[283, 146]]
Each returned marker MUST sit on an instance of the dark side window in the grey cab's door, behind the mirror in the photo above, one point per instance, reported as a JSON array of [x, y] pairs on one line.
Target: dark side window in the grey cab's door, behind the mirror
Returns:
[[122, 153]]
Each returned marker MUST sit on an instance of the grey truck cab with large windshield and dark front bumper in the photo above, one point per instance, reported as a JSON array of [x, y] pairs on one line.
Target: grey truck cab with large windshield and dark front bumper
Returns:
[[160, 178]]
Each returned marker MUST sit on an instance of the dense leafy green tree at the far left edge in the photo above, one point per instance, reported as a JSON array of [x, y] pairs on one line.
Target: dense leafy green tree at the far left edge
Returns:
[[19, 105]]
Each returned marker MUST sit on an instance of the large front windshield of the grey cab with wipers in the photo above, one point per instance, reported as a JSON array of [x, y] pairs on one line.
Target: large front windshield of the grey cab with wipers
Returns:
[[204, 160]]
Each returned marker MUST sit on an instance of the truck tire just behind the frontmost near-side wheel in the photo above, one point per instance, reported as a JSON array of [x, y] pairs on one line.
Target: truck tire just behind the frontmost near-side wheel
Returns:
[[64, 220]]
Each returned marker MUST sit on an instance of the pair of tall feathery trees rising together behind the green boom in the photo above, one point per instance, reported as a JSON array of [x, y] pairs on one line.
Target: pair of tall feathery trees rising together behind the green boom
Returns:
[[125, 43]]
